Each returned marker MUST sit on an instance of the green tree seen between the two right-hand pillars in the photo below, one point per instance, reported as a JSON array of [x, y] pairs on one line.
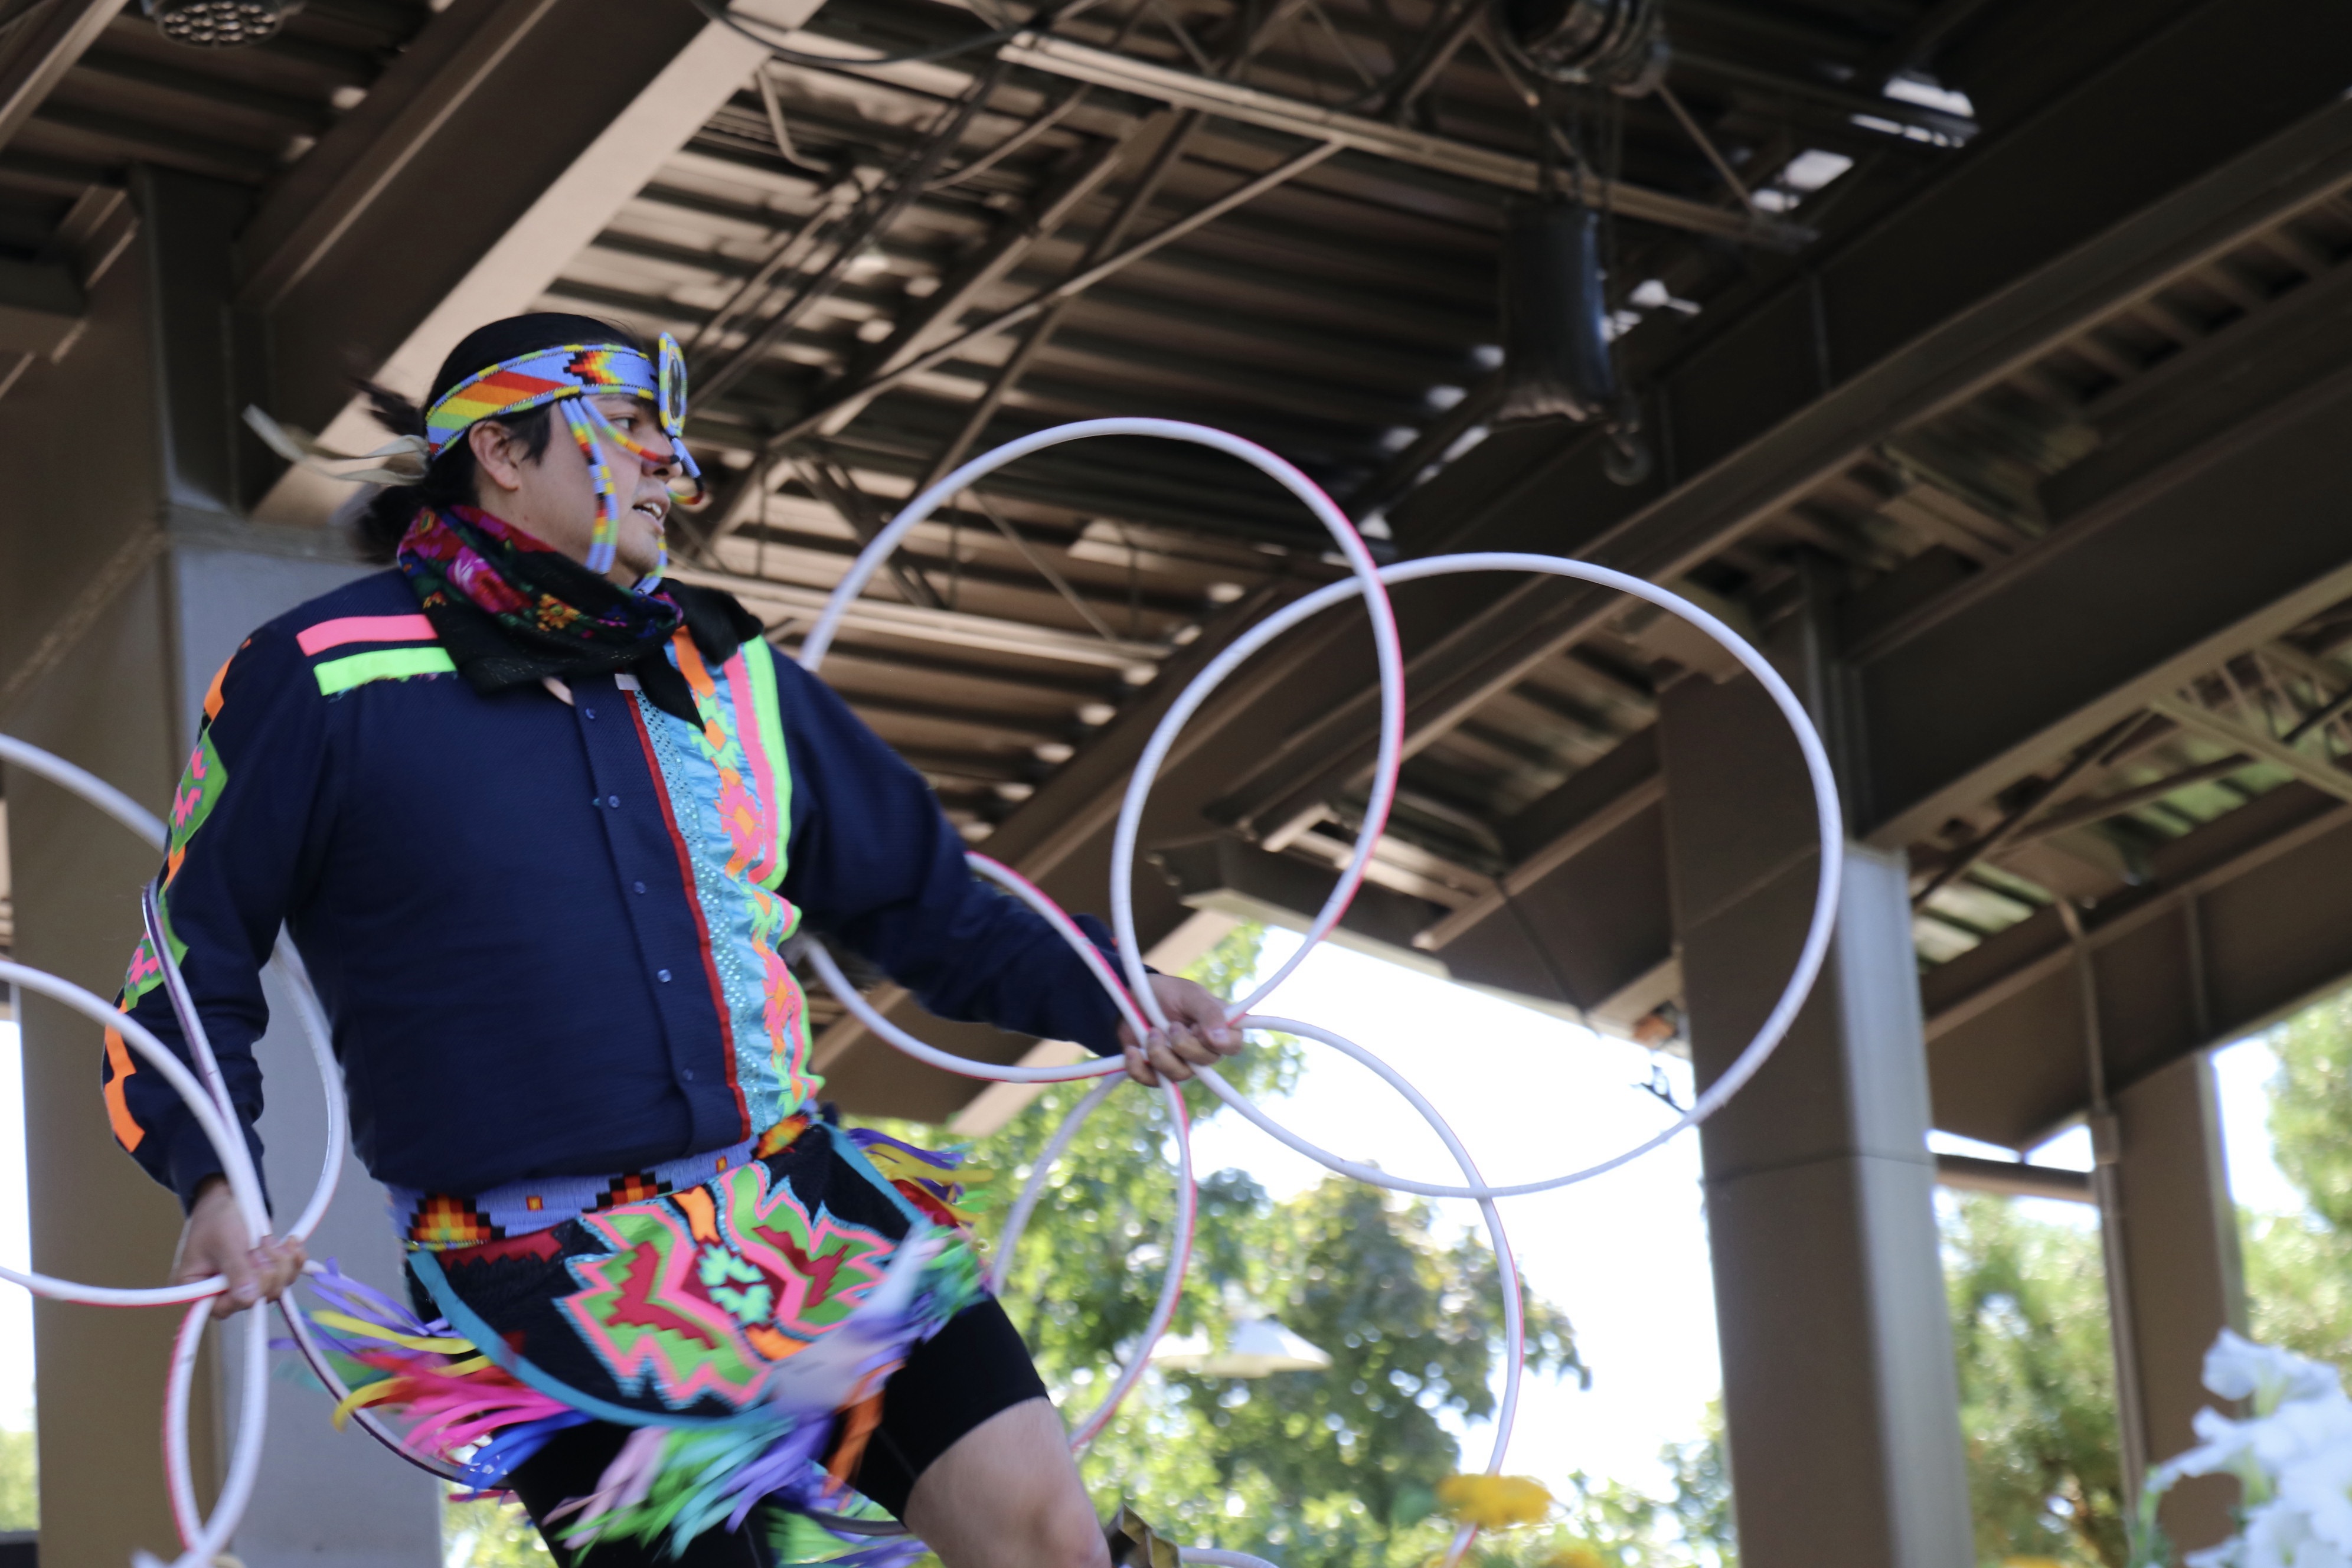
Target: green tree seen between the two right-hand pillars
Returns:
[[2036, 1386]]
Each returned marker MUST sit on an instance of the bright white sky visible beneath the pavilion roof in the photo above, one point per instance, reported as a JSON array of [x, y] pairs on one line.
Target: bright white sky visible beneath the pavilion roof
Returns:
[[1624, 1257]]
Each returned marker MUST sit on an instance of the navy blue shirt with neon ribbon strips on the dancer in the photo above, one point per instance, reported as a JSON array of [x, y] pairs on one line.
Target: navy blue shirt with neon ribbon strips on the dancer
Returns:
[[547, 934]]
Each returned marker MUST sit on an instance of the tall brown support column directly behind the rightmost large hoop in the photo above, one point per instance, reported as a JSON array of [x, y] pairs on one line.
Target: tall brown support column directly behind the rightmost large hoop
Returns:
[[1840, 1395]]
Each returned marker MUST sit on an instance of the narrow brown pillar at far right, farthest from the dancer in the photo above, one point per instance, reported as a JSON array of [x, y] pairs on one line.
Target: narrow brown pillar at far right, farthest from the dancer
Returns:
[[2177, 1282]]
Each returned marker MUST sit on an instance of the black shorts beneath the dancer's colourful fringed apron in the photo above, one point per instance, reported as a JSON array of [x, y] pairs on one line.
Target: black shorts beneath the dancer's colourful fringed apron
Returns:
[[973, 1369]]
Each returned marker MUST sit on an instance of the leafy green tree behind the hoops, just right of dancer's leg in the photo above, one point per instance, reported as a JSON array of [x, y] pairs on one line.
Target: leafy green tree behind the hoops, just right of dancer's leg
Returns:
[[1321, 1470]]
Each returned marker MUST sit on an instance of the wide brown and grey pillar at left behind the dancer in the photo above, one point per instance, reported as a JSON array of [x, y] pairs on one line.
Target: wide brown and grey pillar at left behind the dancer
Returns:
[[126, 579]]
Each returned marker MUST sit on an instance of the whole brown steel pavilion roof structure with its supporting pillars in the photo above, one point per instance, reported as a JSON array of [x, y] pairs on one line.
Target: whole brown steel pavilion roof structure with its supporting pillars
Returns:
[[1989, 370]]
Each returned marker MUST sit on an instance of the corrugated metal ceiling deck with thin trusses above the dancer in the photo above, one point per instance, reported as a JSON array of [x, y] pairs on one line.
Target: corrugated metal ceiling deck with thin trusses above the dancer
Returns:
[[1344, 316]]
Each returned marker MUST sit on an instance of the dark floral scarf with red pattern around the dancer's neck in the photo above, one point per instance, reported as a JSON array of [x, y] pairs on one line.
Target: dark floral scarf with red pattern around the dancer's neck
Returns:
[[512, 612]]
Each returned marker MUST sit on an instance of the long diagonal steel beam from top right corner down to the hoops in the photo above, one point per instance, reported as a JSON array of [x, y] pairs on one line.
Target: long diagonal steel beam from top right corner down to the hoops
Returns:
[[1756, 429]]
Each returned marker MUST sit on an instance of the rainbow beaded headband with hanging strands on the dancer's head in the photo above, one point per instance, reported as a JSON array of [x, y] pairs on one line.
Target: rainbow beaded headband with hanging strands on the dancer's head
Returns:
[[570, 377]]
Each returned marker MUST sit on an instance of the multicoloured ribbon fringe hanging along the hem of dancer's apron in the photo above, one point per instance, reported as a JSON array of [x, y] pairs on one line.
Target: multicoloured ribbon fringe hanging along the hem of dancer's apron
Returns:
[[676, 1480]]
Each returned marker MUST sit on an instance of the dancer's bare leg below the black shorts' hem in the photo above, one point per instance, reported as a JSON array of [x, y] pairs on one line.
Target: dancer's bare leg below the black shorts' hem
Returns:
[[1008, 1496]]
